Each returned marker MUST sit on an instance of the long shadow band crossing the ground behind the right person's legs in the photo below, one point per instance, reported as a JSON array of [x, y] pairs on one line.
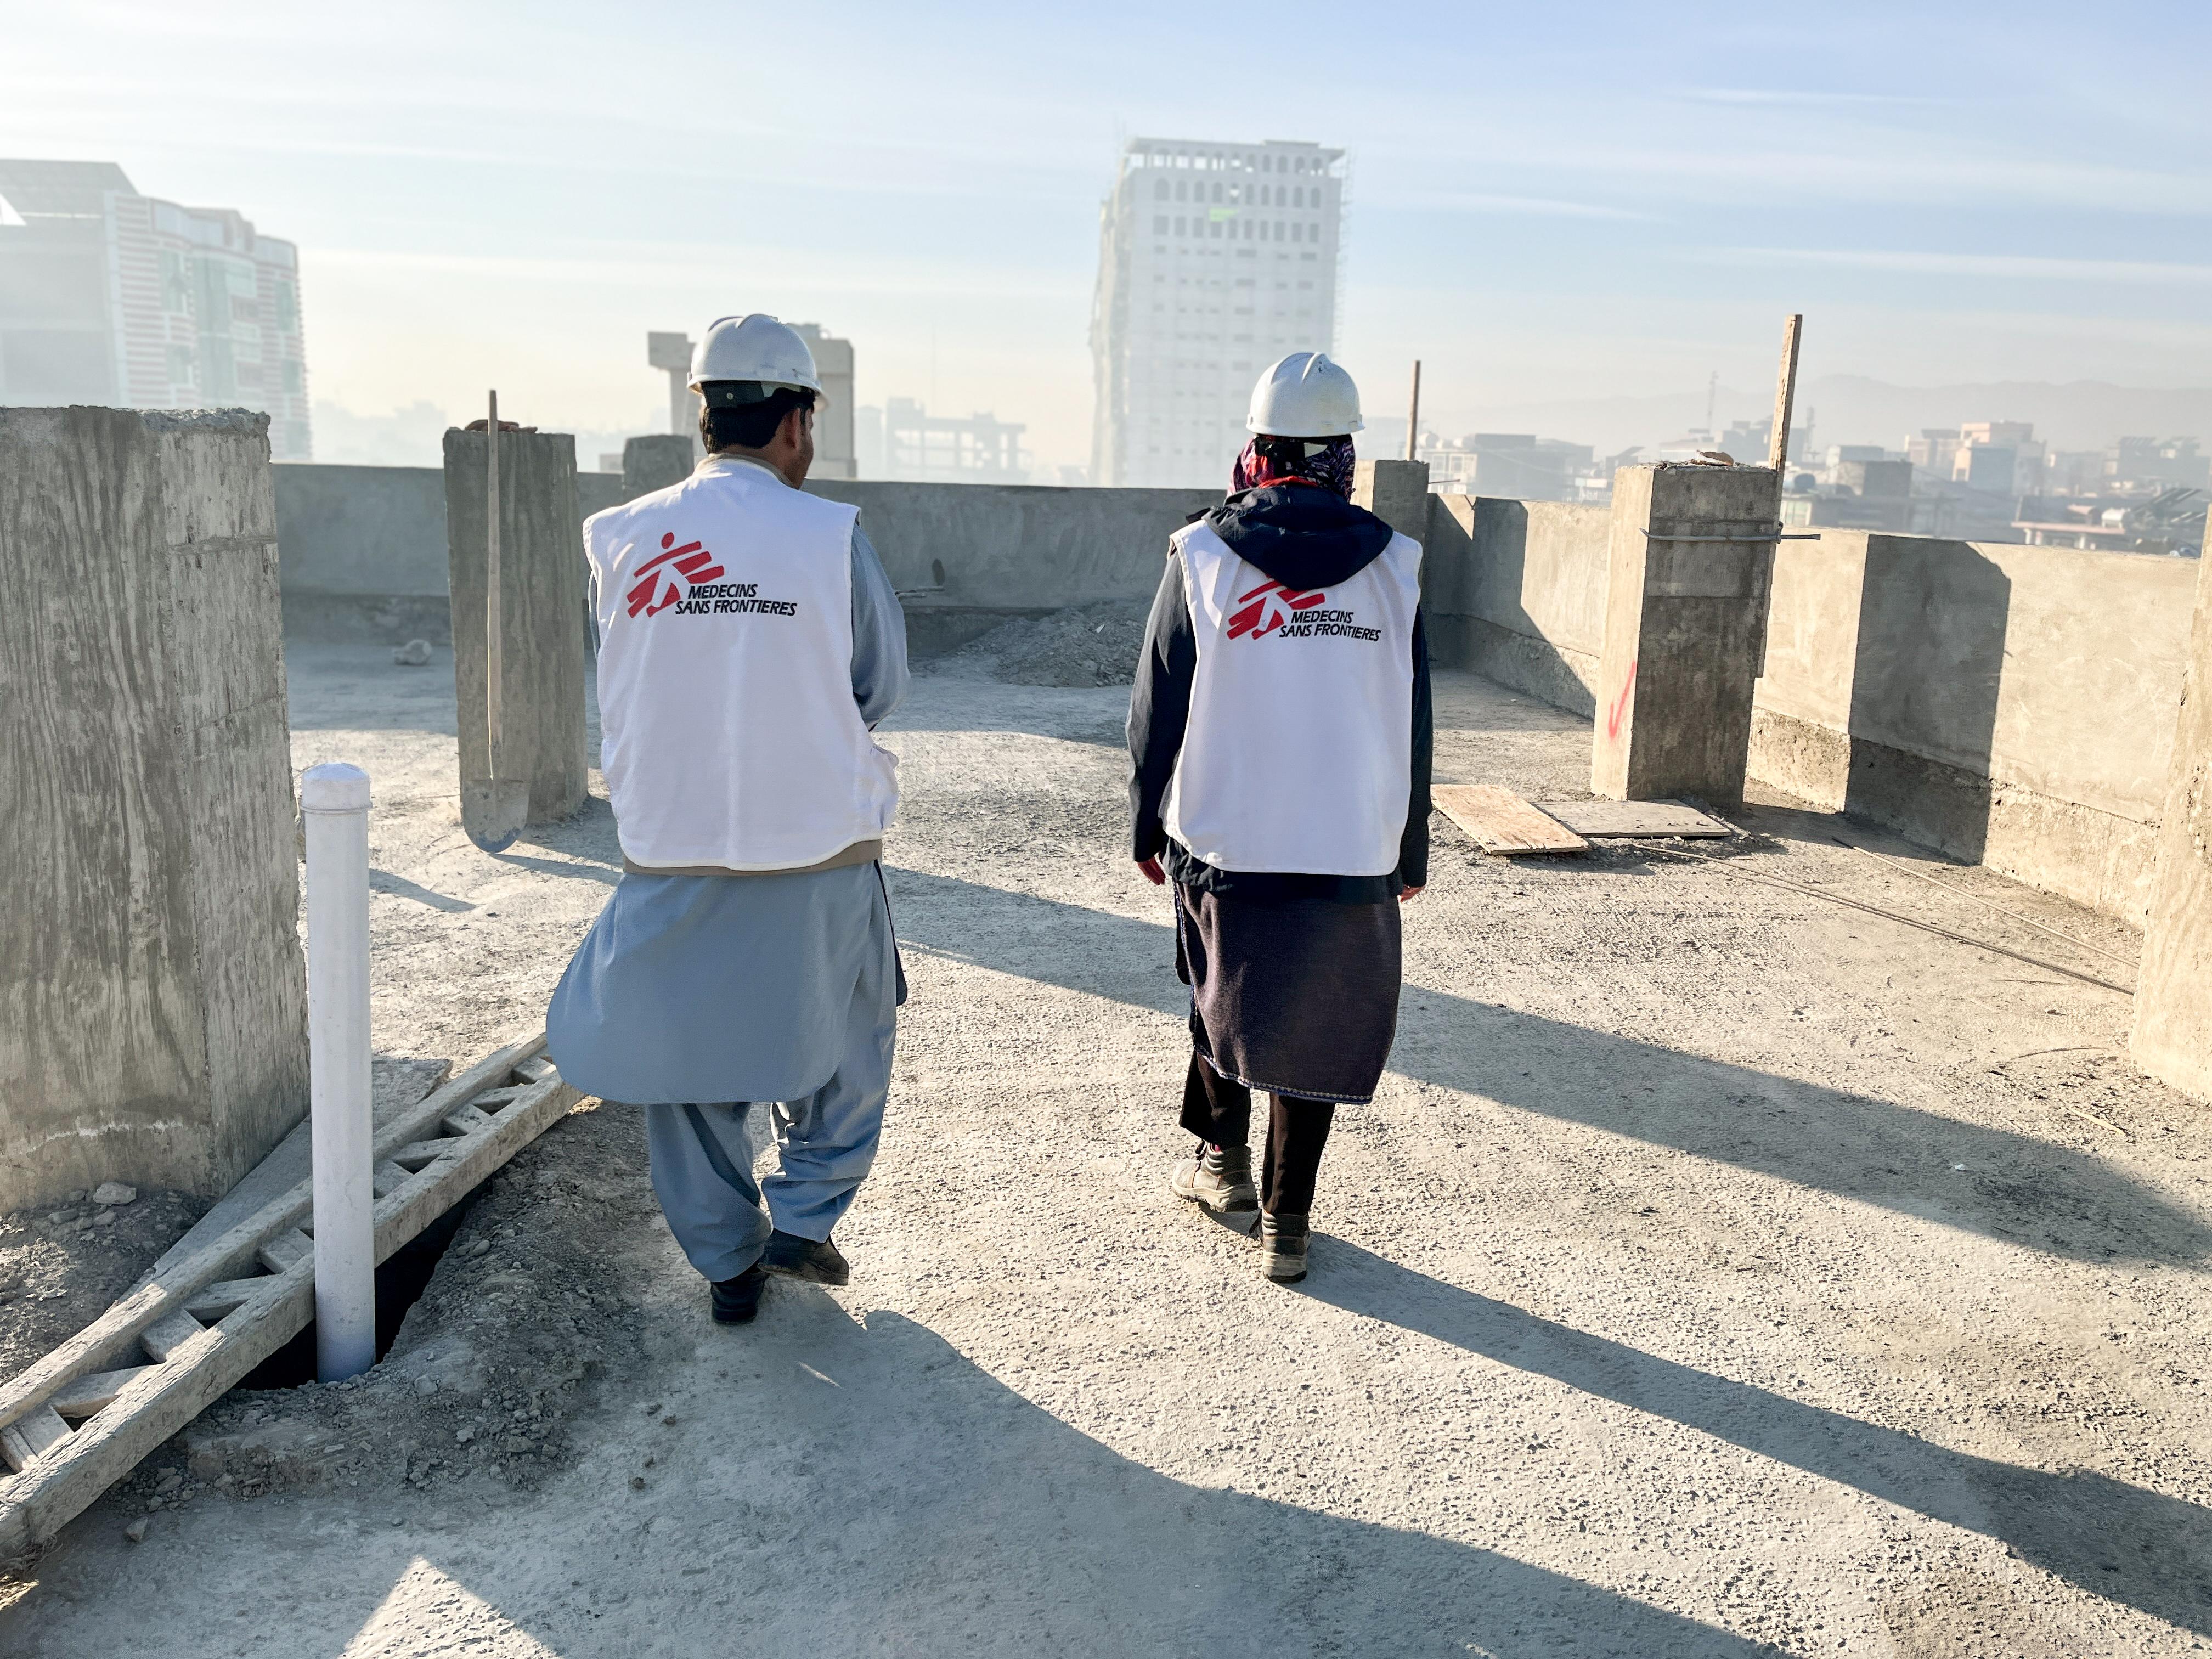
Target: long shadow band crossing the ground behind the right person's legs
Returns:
[[1857, 1147]]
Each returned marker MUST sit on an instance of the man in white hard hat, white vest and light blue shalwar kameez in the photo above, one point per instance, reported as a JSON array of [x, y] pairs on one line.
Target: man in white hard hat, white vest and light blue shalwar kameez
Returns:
[[749, 643]]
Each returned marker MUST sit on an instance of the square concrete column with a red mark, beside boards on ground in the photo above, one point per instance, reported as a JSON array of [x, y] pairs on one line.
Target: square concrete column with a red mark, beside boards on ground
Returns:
[[1687, 612]]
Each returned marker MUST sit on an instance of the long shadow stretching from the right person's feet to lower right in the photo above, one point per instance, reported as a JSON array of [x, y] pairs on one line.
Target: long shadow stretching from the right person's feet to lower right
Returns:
[[2109, 1538]]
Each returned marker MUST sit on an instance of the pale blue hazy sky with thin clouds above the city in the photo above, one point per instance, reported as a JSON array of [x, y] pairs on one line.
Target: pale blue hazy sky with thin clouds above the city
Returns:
[[1547, 202]]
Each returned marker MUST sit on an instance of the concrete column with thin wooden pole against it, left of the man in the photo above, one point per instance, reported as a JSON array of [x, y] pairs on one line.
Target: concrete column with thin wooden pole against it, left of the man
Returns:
[[541, 601]]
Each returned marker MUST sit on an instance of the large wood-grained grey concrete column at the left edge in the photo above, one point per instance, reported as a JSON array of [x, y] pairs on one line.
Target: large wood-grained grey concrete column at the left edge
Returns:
[[154, 1014]]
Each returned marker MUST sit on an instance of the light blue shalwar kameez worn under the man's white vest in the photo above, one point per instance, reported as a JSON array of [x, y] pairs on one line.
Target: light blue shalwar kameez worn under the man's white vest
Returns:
[[702, 997]]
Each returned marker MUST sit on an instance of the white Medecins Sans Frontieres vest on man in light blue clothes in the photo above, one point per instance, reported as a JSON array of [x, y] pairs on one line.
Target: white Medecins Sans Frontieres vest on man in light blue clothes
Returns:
[[727, 716]]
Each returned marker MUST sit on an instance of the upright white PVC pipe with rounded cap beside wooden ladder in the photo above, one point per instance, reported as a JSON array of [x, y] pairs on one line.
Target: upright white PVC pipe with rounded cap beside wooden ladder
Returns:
[[335, 802]]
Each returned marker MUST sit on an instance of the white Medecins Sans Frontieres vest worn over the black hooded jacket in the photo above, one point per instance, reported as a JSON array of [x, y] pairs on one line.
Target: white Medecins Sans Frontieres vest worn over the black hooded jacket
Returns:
[[1300, 751]]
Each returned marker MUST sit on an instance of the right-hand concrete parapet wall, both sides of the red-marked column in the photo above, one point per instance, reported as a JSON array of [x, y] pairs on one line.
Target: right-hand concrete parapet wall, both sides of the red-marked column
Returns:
[[2005, 705]]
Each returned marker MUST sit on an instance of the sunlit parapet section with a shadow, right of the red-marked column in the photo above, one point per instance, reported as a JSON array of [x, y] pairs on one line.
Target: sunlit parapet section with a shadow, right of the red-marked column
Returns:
[[2005, 705]]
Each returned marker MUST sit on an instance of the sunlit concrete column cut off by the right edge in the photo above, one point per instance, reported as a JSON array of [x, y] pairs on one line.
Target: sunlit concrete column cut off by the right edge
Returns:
[[2173, 990]]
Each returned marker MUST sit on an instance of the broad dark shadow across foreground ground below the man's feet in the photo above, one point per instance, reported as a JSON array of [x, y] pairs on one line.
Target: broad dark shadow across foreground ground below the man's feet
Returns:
[[870, 1490]]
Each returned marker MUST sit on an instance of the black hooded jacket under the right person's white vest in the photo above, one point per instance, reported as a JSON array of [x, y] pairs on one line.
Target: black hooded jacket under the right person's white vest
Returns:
[[1304, 539]]
